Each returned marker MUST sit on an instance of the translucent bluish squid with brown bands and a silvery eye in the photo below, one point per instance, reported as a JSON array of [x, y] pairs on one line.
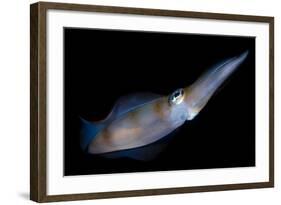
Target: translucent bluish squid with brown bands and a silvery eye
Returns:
[[138, 121]]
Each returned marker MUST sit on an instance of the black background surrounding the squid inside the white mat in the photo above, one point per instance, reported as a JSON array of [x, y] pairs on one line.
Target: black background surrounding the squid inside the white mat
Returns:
[[102, 65]]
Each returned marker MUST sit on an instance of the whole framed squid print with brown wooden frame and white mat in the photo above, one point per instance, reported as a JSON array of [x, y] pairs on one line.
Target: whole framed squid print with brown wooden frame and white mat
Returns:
[[133, 102]]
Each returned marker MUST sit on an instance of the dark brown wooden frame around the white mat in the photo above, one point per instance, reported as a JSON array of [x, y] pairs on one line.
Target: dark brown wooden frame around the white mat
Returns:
[[38, 95]]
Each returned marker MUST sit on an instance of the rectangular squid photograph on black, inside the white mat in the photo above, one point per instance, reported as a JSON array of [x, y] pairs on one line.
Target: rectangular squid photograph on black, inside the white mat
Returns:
[[143, 101]]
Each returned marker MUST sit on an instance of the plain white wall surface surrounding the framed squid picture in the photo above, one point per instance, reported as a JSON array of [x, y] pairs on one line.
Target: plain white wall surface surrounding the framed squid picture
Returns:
[[14, 101]]
